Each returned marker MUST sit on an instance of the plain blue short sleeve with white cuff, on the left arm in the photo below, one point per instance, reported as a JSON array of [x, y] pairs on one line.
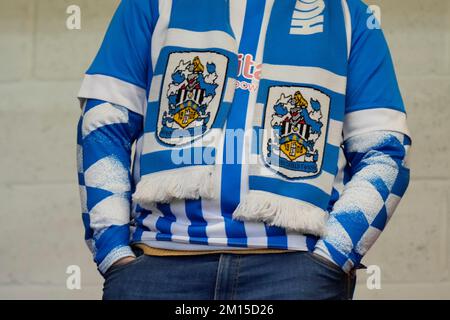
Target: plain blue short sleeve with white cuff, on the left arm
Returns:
[[120, 71]]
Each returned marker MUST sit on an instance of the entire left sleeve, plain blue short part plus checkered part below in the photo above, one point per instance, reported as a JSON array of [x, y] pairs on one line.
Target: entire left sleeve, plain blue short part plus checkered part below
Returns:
[[114, 87]]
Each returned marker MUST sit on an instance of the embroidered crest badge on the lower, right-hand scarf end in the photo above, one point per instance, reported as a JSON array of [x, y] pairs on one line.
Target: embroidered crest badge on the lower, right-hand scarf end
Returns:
[[296, 123]]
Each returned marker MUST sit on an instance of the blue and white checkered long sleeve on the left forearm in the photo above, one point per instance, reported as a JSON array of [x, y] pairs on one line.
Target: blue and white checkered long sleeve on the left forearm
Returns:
[[106, 133]]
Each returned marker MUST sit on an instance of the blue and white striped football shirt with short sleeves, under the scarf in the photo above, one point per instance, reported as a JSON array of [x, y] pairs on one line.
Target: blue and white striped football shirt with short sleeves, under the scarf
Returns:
[[122, 73]]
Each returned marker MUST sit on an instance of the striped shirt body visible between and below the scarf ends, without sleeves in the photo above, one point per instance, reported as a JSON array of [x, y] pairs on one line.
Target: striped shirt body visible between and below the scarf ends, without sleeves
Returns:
[[208, 224]]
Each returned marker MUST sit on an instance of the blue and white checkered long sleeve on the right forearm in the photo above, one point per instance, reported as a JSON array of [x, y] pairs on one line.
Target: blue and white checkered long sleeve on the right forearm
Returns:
[[379, 178]]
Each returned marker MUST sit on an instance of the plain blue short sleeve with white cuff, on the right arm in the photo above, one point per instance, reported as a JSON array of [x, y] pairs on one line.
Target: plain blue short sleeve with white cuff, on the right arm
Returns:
[[373, 98]]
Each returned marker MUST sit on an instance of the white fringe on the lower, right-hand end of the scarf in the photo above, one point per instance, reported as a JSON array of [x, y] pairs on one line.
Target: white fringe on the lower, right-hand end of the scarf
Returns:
[[280, 211]]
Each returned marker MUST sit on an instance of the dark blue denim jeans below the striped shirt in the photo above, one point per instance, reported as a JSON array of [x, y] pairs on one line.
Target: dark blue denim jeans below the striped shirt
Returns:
[[286, 276]]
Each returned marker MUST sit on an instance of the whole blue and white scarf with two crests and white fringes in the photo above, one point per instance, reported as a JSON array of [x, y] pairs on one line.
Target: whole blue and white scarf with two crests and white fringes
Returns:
[[298, 114]]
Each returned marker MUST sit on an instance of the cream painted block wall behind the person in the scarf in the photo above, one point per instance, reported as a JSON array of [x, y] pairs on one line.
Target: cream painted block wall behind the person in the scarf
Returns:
[[41, 65]]
